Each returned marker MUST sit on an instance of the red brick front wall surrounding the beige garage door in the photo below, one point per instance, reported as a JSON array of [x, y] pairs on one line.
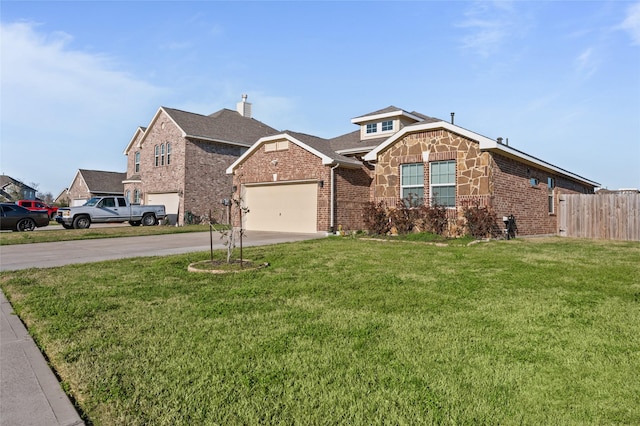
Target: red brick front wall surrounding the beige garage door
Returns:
[[293, 164]]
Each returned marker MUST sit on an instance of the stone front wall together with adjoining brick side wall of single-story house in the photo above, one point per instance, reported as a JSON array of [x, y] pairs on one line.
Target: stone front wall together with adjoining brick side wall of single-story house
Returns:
[[490, 179]]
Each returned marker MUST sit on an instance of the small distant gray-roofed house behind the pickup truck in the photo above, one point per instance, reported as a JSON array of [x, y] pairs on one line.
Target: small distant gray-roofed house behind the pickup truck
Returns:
[[94, 183]]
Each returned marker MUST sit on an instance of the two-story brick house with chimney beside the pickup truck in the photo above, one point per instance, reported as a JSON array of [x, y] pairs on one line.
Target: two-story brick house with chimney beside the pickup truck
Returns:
[[179, 159]]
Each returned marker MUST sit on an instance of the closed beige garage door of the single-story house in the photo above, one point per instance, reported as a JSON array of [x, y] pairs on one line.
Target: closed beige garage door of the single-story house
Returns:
[[282, 207]]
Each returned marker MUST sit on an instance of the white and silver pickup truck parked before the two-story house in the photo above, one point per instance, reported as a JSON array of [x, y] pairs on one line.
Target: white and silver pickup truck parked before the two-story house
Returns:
[[108, 210]]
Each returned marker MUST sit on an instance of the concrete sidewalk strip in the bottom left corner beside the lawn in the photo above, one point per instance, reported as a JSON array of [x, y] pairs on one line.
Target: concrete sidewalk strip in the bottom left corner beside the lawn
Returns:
[[30, 394]]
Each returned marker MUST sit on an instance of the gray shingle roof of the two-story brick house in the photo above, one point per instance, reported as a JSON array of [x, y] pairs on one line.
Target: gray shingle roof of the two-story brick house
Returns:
[[223, 126]]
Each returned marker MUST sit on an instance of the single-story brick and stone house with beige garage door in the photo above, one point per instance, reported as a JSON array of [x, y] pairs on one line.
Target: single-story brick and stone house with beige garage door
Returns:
[[296, 182]]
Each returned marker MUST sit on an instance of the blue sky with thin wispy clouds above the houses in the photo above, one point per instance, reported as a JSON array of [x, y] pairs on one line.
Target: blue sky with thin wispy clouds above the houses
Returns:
[[561, 80]]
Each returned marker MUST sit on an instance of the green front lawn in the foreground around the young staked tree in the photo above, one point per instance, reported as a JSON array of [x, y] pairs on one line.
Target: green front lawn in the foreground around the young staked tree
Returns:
[[348, 331]]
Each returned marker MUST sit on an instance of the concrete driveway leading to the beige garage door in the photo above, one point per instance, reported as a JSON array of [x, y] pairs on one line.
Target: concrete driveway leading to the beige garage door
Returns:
[[44, 255]]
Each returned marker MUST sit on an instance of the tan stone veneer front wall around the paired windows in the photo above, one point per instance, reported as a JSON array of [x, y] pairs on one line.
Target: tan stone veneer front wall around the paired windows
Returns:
[[472, 165]]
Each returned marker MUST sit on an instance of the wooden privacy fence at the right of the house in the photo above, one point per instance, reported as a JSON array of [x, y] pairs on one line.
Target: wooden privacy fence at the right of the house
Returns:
[[600, 216]]
